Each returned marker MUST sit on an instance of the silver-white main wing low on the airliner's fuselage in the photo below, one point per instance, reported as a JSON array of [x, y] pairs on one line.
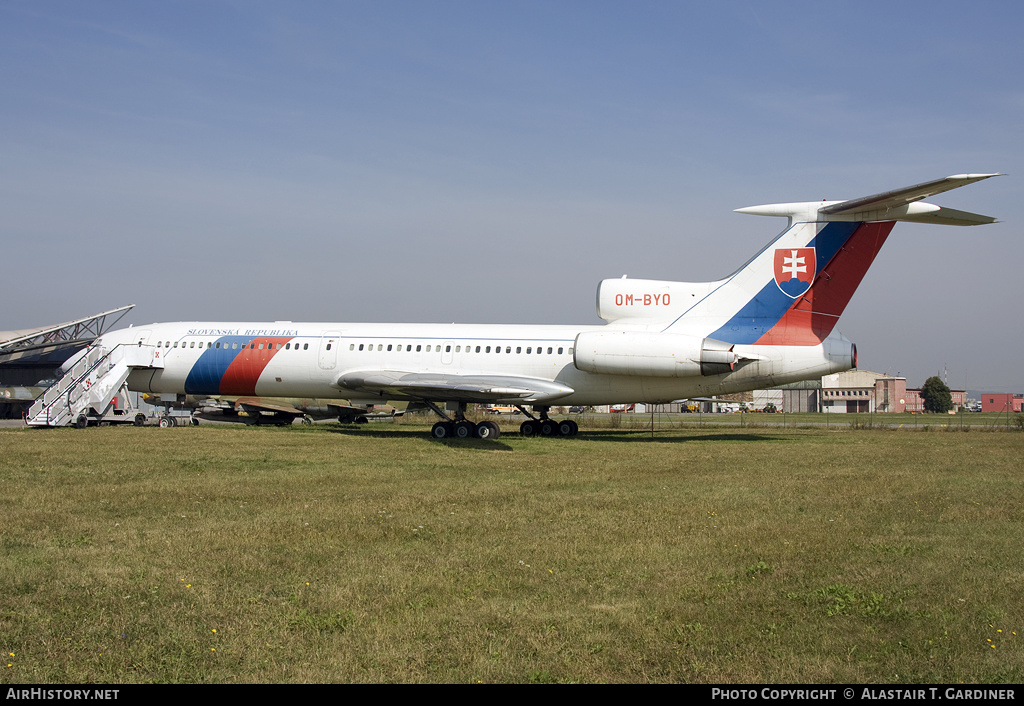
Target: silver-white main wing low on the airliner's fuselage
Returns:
[[454, 388]]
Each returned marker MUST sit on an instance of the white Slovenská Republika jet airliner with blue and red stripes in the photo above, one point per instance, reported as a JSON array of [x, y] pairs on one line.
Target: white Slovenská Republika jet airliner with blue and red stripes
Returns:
[[767, 324]]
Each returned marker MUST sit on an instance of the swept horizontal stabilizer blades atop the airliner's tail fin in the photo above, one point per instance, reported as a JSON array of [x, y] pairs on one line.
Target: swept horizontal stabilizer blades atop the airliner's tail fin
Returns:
[[870, 206]]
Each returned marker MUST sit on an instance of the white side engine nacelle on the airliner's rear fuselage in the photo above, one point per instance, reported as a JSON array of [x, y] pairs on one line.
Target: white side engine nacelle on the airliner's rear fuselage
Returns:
[[658, 355]]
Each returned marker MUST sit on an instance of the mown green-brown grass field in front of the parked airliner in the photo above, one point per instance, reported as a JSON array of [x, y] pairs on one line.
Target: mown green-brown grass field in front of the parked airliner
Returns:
[[332, 554]]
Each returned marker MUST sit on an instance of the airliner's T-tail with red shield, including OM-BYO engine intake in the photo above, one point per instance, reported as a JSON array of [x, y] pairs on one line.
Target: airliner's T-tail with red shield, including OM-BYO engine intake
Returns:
[[794, 292]]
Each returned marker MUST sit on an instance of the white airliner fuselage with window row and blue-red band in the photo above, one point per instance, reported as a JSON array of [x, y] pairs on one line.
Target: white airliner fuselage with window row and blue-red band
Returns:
[[285, 359]]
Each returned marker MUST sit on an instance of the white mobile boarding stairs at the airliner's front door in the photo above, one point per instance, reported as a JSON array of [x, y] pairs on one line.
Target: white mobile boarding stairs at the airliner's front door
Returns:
[[94, 384]]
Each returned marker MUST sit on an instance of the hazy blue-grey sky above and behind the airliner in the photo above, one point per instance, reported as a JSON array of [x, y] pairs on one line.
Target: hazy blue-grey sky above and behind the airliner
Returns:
[[492, 162]]
